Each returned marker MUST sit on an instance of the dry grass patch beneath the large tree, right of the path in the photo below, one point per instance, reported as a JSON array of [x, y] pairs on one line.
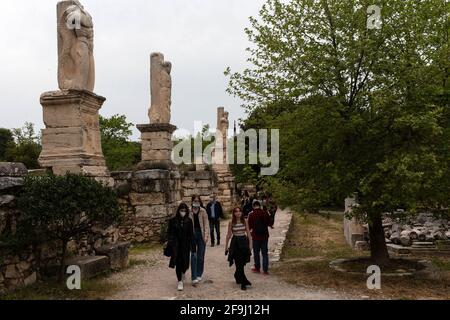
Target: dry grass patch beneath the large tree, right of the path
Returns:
[[314, 240]]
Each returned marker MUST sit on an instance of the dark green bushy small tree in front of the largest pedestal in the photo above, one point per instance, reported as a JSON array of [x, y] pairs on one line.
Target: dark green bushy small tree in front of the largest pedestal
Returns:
[[61, 208]]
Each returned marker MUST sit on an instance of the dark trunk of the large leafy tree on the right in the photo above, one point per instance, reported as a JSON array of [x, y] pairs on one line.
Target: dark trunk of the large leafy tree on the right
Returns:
[[378, 248]]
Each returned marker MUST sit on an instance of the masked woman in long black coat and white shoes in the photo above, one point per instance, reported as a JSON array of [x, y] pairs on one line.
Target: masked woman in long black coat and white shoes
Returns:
[[180, 243]]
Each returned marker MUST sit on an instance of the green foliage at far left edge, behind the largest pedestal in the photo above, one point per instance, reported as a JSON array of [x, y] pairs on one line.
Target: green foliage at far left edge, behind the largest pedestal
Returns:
[[25, 147]]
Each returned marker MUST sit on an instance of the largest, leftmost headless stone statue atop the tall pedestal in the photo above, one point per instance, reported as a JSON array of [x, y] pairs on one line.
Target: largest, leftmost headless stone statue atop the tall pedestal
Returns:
[[76, 67]]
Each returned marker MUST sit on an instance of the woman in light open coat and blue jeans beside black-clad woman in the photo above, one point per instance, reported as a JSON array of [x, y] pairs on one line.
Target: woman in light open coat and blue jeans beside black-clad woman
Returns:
[[200, 237]]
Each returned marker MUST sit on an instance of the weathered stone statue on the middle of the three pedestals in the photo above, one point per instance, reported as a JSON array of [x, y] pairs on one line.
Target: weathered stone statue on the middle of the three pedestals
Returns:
[[161, 89]]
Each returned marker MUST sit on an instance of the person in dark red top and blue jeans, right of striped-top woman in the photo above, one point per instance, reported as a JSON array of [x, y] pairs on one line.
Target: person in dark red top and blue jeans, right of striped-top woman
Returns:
[[259, 222]]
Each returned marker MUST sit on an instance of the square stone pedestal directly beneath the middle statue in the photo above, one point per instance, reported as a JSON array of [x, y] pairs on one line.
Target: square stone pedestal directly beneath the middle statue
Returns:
[[157, 146]]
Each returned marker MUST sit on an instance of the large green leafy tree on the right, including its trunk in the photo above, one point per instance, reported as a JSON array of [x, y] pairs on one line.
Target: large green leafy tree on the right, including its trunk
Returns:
[[359, 109]]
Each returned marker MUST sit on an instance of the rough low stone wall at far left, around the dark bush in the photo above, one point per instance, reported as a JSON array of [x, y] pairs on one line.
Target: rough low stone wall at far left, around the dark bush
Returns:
[[19, 269]]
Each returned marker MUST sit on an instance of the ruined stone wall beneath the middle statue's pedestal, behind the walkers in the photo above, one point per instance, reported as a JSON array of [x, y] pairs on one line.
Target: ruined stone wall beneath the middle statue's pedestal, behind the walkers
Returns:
[[150, 198]]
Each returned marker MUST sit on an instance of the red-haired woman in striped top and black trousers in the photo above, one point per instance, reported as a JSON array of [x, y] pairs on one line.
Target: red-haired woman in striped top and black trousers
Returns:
[[239, 250]]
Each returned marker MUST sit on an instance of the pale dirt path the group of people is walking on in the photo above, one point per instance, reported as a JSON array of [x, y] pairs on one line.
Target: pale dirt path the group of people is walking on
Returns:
[[156, 281]]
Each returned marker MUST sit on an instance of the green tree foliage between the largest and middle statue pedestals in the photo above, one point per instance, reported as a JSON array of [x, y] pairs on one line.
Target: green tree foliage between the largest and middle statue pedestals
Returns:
[[120, 153]]
